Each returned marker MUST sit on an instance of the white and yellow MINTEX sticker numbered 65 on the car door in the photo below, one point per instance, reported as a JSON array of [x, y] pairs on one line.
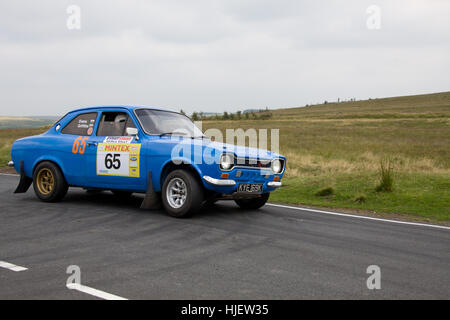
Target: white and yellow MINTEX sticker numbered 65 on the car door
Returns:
[[118, 159]]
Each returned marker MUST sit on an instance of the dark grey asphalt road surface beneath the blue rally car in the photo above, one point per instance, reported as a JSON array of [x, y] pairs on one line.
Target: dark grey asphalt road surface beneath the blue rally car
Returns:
[[221, 253]]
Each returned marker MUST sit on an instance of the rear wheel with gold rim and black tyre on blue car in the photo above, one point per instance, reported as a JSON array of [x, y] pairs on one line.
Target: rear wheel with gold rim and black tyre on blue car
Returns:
[[49, 183]]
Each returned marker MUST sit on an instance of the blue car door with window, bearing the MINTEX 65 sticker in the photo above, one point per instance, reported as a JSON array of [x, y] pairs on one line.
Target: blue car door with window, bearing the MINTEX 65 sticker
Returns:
[[113, 156]]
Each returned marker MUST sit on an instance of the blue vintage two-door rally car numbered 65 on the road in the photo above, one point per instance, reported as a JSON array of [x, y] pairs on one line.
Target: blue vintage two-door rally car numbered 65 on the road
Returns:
[[144, 150]]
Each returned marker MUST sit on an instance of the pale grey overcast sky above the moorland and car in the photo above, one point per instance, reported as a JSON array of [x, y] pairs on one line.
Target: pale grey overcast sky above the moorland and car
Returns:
[[218, 55]]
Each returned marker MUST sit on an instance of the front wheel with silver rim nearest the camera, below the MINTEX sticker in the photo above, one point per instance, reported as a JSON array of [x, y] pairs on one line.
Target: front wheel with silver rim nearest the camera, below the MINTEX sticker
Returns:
[[182, 194]]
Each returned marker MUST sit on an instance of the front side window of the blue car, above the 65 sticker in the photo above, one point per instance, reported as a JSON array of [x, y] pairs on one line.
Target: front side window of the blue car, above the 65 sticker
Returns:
[[114, 124]]
